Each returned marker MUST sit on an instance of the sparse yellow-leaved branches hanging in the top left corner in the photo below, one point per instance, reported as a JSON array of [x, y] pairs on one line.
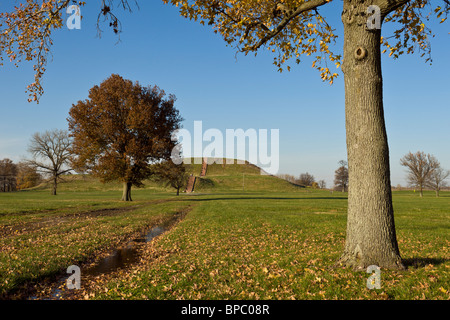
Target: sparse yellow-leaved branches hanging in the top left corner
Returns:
[[25, 33]]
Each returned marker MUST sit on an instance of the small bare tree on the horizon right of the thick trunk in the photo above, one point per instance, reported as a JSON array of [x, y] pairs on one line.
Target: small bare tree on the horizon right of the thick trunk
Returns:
[[420, 167]]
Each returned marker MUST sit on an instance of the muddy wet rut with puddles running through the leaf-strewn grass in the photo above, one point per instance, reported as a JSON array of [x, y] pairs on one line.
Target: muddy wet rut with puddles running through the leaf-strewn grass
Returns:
[[107, 263]]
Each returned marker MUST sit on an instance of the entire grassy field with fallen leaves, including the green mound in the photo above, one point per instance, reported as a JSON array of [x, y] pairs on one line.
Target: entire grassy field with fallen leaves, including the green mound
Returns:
[[245, 236]]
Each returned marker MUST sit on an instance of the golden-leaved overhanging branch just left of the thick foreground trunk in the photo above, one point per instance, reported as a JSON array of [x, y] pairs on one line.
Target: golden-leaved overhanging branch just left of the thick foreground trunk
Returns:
[[288, 28]]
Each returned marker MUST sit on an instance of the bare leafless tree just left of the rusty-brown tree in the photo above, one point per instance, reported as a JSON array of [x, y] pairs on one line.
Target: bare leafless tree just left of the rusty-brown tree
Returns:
[[51, 154]]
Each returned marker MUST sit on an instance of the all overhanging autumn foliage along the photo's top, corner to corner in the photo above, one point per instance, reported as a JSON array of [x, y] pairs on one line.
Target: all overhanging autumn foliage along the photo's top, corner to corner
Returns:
[[288, 28]]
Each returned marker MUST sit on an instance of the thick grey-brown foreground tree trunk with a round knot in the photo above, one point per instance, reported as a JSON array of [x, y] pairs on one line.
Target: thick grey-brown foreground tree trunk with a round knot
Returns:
[[371, 237]]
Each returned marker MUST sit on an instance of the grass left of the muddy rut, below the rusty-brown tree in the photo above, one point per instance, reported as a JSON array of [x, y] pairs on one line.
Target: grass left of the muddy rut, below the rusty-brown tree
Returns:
[[42, 235]]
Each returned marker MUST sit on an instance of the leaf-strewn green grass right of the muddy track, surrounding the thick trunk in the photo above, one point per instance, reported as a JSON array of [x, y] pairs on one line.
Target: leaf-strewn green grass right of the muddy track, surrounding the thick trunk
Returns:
[[280, 246]]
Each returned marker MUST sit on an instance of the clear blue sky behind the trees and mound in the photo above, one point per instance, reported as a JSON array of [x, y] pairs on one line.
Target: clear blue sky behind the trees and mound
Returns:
[[229, 91]]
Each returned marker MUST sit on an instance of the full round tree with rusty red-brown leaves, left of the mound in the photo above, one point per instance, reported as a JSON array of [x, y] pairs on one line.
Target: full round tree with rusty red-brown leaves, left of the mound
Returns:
[[120, 129]]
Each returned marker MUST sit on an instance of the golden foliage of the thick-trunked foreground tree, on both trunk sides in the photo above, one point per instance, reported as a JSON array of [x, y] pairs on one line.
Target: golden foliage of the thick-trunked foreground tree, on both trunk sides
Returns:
[[294, 28]]
